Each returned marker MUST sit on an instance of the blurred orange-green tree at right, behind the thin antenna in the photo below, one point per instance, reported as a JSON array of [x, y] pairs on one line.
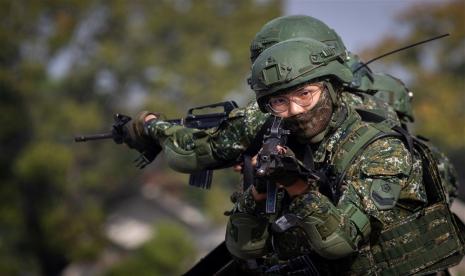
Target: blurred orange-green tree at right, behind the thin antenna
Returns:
[[435, 72]]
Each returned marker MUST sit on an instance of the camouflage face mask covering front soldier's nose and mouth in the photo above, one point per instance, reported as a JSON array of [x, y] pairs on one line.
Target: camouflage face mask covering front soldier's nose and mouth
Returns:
[[313, 122]]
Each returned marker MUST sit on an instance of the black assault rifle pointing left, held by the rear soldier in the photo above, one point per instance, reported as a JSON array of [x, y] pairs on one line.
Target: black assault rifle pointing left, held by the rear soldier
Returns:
[[193, 119]]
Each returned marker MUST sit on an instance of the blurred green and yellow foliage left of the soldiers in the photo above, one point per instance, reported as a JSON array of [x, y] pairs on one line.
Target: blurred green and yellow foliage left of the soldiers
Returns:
[[65, 68]]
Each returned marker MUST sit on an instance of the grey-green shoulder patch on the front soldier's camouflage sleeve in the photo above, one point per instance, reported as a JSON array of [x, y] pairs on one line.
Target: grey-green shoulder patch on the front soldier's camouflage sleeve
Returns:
[[384, 194]]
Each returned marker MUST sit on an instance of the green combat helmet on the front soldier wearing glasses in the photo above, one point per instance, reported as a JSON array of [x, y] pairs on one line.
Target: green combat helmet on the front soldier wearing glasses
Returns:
[[294, 62]]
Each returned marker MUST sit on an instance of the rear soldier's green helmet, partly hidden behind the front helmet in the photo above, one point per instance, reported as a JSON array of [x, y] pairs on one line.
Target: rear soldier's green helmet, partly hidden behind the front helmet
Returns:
[[294, 26]]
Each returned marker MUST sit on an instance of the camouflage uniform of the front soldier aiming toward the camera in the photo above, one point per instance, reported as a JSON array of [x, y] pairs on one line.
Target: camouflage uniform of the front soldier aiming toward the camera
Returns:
[[385, 164]]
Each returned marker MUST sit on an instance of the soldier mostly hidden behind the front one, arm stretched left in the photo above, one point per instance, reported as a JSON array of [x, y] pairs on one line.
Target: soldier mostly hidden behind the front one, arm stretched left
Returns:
[[380, 94]]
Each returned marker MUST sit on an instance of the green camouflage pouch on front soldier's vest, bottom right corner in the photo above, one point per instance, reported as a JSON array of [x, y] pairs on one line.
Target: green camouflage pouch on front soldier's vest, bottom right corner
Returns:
[[425, 242]]
